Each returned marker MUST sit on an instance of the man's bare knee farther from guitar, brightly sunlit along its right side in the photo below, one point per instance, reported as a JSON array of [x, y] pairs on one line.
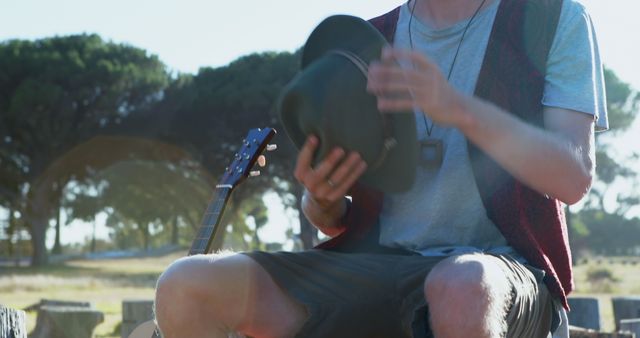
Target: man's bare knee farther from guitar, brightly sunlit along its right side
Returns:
[[467, 297]]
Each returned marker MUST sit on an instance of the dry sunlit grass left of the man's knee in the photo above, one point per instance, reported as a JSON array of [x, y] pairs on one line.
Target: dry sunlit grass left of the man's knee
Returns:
[[105, 283]]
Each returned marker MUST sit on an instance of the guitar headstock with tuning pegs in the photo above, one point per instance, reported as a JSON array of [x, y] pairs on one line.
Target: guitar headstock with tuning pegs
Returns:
[[256, 141]]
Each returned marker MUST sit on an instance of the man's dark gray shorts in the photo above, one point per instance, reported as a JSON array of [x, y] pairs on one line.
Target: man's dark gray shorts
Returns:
[[381, 296]]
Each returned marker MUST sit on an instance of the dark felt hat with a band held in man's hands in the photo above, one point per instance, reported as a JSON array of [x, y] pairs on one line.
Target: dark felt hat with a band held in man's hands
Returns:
[[328, 98]]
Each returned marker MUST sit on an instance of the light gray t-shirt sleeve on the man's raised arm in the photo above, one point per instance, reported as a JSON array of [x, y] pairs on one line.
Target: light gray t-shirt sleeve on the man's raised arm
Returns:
[[575, 77]]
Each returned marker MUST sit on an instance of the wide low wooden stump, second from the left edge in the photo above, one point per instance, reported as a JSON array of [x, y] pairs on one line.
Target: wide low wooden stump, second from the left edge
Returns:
[[66, 322]]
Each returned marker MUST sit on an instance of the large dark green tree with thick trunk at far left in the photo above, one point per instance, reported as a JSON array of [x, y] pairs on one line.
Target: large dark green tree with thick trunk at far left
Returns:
[[56, 94]]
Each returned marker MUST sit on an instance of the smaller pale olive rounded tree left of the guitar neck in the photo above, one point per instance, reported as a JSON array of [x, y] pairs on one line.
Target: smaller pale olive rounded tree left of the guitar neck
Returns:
[[149, 195]]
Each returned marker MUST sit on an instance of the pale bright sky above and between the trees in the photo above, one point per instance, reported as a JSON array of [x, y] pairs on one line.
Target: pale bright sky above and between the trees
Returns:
[[190, 34]]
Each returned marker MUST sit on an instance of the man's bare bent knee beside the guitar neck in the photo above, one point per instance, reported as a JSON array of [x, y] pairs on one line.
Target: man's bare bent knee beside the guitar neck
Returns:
[[209, 296]]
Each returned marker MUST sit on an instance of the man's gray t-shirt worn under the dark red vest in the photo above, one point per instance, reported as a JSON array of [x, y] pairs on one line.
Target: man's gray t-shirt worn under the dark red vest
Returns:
[[442, 213]]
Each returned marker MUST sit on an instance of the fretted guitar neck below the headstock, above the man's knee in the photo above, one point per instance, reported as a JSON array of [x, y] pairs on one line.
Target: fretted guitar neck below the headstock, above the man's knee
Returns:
[[211, 221]]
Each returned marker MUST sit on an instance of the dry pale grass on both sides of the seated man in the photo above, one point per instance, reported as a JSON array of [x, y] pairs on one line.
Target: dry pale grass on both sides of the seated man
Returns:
[[106, 283]]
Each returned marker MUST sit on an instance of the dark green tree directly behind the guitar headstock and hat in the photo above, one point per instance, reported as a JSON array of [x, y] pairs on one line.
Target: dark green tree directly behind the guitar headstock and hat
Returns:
[[210, 112]]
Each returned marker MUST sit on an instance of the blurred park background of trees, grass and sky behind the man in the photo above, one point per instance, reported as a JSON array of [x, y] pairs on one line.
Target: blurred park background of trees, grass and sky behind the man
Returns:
[[118, 118]]
